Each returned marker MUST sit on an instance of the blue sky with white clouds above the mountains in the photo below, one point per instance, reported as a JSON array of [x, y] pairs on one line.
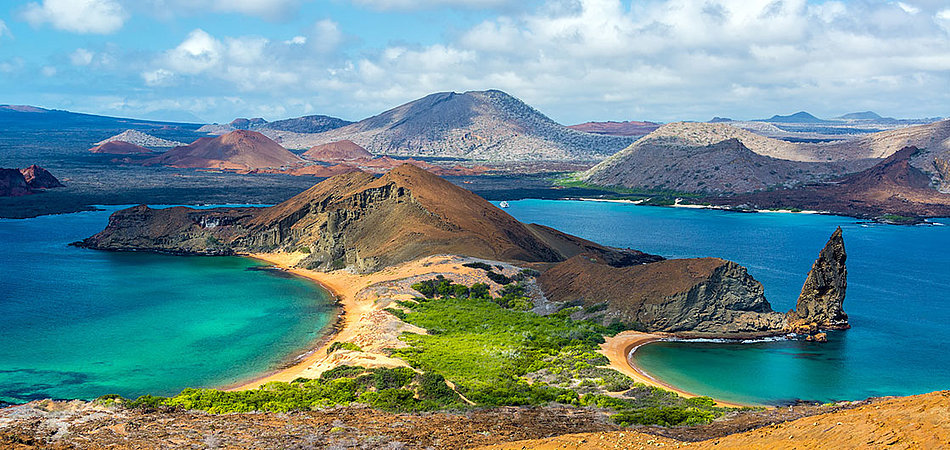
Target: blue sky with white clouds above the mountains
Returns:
[[574, 60]]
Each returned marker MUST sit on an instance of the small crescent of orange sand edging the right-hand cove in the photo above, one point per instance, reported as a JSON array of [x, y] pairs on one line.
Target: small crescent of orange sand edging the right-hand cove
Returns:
[[618, 349]]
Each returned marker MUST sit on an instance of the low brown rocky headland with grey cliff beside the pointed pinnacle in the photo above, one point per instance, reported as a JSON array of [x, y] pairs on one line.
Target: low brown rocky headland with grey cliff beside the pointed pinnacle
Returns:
[[689, 297]]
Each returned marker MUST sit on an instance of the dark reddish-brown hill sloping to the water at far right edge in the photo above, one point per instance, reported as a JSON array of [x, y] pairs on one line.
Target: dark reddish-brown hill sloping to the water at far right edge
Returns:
[[893, 186]]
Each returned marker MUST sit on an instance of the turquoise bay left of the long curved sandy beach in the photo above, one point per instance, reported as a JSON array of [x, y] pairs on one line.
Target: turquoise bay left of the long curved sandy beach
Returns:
[[77, 323]]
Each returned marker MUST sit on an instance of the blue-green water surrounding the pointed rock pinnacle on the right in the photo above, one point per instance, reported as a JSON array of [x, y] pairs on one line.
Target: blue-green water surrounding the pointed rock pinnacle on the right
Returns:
[[897, 299]]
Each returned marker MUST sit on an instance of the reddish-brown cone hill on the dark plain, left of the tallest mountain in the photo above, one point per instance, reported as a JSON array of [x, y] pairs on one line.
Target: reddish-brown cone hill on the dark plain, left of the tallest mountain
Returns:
[[237, 150]]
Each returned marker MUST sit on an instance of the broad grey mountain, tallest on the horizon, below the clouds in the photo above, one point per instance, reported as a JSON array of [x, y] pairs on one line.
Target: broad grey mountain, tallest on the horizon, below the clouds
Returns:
[[485, 125]]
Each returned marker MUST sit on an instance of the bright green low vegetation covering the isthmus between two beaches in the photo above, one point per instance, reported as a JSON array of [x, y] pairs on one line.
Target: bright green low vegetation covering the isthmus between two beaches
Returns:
[[494, 353]]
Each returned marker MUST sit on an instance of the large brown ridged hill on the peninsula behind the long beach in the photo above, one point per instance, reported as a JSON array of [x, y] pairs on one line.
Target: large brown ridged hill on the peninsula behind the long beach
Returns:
[[355, 220]]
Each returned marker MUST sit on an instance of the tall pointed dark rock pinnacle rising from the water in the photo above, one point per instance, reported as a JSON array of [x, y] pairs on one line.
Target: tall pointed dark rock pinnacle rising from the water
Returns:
[[820, 303]]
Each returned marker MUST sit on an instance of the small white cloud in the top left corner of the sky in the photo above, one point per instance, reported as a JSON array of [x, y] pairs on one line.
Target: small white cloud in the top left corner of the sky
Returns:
[[78, 16]]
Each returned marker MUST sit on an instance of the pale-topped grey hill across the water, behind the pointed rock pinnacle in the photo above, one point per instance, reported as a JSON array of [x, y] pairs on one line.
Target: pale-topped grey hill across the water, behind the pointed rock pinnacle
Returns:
[[711, 157]]
